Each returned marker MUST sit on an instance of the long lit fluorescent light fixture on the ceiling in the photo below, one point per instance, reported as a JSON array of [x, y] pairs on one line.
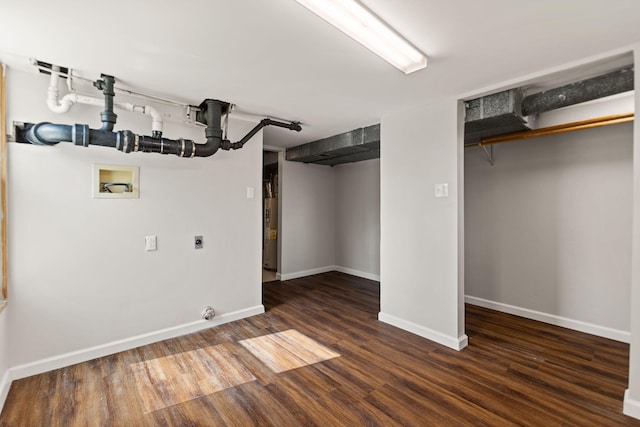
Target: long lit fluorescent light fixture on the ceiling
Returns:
[[355, 20]]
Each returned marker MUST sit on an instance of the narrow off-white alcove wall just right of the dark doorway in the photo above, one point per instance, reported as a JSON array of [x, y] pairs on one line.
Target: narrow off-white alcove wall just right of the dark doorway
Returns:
[[307, 217]]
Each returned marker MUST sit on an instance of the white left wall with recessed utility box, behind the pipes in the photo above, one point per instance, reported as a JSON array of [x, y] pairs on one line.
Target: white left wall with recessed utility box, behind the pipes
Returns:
[[78, 272]]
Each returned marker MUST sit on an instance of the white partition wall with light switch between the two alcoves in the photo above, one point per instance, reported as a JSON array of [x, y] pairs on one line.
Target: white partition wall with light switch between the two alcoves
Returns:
[[420, 277]]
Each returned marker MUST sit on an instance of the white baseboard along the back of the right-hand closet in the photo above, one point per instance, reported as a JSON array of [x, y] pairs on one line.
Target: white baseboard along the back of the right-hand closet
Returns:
[[552, 319]]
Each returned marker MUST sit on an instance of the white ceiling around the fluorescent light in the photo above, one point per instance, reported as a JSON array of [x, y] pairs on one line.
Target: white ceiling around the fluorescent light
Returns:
[[278, 59]]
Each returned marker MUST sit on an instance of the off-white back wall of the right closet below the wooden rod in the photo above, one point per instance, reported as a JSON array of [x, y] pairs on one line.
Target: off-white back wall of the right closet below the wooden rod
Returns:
[[548, 227]]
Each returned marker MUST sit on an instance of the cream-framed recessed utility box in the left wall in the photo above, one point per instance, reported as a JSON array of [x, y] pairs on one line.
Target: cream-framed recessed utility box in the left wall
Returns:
[[115, 182]]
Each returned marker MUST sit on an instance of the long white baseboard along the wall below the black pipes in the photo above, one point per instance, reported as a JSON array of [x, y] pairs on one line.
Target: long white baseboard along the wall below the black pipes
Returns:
[[67, 359]]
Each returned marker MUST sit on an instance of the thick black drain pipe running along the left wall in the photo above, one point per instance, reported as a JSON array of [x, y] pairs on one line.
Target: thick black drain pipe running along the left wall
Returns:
[[210, 114]]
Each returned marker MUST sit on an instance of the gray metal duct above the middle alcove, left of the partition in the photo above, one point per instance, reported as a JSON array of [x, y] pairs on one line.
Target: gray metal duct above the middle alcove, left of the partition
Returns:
[[353, 146]]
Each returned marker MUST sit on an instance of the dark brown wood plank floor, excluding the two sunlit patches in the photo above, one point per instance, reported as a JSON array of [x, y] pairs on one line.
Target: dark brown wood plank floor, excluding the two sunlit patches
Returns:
[[514, 372]]
